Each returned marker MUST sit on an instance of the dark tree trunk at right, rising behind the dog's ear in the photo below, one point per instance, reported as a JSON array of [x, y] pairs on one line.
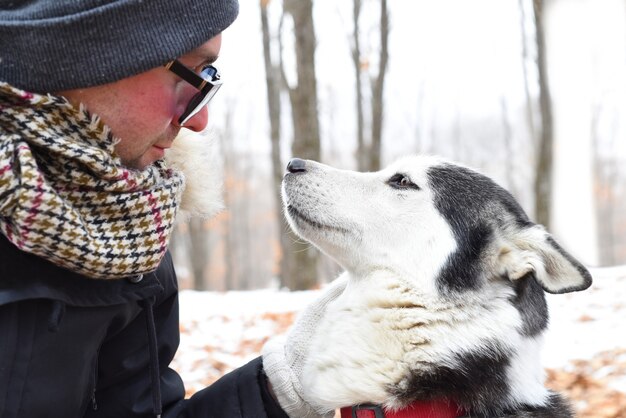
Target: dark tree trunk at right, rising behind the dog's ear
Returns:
[[543, 181]]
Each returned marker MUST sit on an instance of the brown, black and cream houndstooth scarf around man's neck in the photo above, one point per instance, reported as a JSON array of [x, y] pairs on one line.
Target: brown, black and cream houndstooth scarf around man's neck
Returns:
[[65, 196]]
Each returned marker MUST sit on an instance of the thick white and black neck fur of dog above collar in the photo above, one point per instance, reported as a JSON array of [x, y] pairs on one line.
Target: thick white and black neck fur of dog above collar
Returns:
[[420, 337]]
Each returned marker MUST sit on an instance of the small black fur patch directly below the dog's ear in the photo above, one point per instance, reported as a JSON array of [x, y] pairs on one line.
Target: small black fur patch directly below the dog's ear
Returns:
[[531, 303]]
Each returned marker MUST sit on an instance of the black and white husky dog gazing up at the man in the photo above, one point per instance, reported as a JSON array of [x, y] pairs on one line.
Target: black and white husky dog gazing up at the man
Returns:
[[445, 297]]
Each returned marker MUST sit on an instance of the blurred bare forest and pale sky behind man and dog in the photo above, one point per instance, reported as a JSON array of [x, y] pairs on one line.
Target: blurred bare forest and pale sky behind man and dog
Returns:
[[530, 92]]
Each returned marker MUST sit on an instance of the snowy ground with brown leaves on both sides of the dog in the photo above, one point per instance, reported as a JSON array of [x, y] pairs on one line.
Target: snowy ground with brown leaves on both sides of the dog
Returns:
[[221, 331]]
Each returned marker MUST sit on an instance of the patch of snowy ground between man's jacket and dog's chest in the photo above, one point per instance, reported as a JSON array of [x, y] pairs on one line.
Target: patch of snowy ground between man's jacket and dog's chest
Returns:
[[222, 330]]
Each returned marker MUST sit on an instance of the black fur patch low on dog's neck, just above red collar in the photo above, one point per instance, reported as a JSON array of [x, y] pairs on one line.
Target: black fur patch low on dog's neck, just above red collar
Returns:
[[475, 380]]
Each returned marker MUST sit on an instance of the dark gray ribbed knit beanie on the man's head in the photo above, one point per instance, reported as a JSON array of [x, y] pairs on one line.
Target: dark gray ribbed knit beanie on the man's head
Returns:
[[53, 45]]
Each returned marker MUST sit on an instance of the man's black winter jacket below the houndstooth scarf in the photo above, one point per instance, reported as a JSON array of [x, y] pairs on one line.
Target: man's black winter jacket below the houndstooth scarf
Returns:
[[77, 347]]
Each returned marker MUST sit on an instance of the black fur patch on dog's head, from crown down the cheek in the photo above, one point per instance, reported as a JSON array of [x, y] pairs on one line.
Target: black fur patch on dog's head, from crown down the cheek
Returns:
[[471, 204]]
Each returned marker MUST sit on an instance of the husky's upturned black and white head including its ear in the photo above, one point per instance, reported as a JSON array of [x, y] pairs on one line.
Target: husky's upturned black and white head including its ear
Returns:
[[423, 217]]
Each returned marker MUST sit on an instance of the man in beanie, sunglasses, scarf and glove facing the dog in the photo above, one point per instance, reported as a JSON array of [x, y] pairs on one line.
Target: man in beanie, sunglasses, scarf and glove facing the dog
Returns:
[[92, 93]]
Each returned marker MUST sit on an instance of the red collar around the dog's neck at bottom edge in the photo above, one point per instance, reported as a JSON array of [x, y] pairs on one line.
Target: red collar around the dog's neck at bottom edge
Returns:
[[418, 409]]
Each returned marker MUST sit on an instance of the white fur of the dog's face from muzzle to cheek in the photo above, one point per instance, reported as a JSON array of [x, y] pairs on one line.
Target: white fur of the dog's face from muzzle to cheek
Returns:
[[366, 224]]
